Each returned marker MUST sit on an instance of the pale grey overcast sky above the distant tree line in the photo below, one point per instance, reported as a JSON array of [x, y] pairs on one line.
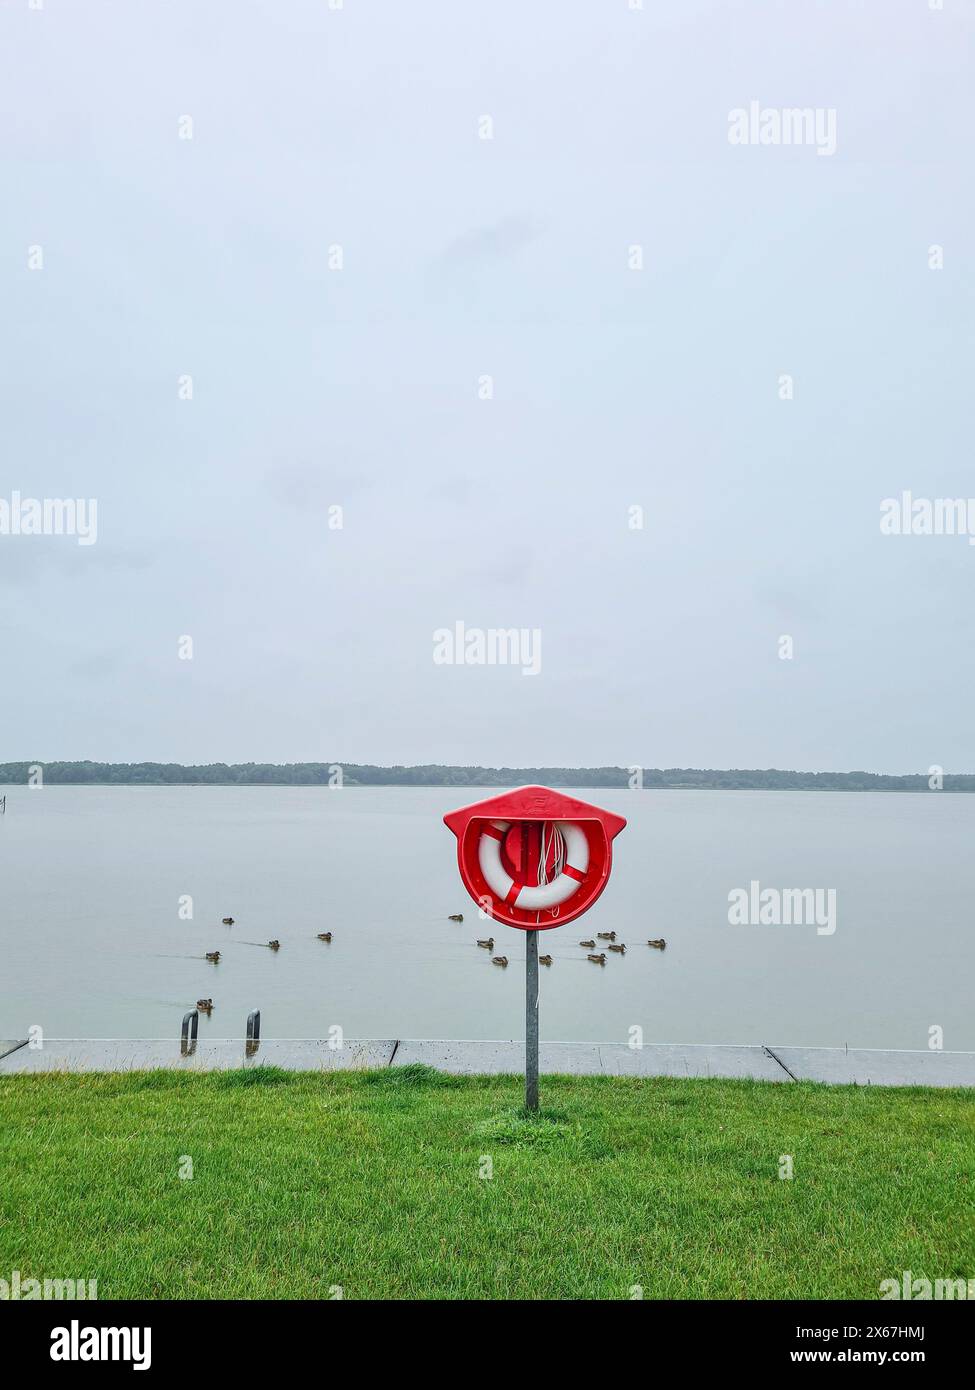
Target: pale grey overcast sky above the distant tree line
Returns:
[[468, 258]]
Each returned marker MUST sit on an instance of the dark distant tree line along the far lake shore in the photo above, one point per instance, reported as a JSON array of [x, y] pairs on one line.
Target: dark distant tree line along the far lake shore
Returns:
[[436, 775]]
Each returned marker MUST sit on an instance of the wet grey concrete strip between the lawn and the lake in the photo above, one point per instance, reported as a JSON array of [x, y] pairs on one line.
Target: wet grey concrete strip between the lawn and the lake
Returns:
[[468, 1057]]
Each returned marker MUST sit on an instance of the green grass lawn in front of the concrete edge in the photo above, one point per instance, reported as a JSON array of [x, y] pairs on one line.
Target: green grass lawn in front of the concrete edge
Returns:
[[373, 1182]]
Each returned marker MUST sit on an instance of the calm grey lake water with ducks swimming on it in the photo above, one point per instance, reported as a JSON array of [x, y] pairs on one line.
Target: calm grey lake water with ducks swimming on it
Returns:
[[92, 943]]
